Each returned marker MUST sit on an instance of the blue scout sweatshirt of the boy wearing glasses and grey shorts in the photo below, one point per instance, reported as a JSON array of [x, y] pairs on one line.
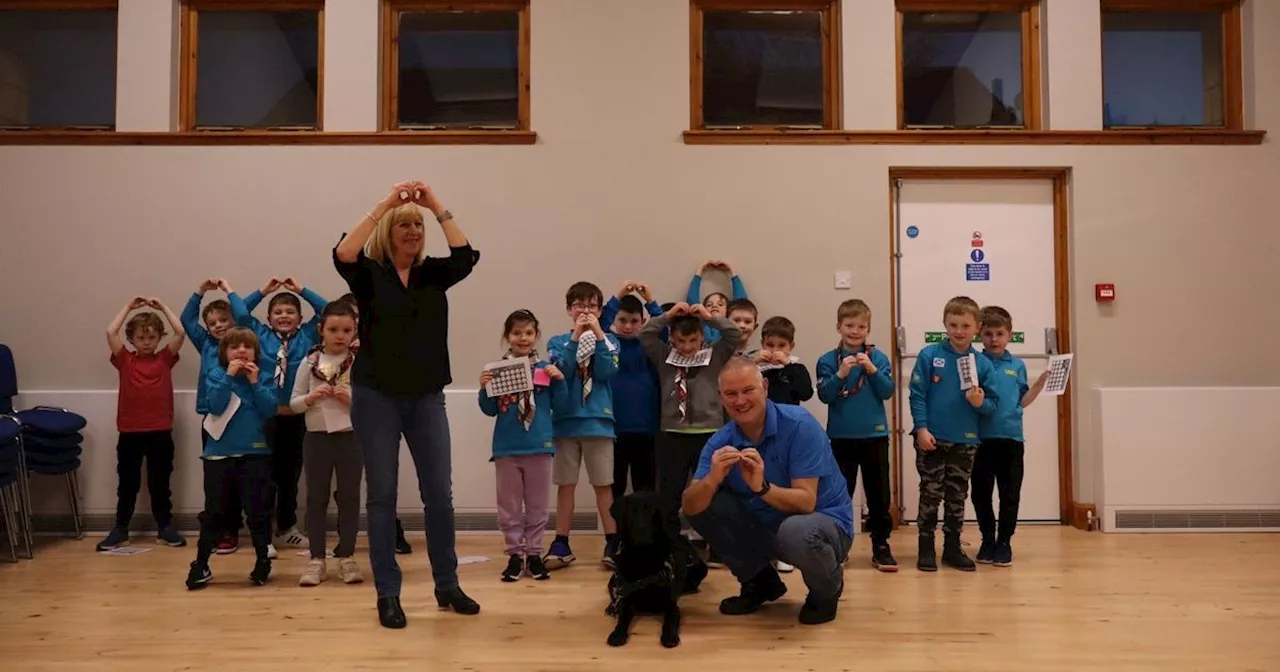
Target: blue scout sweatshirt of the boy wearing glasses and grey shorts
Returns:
[[593, 418]]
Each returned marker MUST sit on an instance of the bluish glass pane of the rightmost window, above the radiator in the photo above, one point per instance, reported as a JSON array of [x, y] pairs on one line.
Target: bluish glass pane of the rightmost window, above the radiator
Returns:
[[1163, 70]]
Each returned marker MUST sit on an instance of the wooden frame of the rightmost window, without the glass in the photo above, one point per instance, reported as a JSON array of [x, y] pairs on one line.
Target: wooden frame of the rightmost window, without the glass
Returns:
[[1233, 52]]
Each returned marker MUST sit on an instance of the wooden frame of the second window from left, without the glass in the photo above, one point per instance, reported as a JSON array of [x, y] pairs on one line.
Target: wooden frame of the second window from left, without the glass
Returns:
[[190, 54]]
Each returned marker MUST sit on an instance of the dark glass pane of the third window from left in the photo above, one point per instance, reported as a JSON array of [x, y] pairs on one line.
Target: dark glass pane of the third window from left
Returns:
[[459, 70]]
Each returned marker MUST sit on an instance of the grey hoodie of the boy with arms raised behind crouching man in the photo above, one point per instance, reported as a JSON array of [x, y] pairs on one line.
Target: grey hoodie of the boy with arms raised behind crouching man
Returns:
[[703, 405]]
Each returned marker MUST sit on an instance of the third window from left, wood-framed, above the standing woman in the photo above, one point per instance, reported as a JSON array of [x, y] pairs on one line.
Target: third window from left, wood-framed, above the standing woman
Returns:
[[452, 66]]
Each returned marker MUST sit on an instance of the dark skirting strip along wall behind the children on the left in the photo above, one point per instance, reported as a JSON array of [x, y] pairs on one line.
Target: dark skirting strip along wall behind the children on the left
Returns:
[[62, 524]]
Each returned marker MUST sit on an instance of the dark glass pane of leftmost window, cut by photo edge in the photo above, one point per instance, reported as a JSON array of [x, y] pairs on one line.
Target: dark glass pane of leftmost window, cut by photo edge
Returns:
[[58, 68]]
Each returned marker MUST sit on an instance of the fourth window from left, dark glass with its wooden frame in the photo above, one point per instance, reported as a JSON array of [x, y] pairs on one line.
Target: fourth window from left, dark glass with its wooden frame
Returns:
[[765, 65]]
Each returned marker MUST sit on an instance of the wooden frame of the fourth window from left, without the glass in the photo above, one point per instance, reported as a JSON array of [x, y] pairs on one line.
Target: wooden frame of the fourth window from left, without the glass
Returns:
[[833, 112]]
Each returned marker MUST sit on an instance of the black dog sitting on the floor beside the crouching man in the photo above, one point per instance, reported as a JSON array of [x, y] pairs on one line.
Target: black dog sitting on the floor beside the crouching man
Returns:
[[653, 568]]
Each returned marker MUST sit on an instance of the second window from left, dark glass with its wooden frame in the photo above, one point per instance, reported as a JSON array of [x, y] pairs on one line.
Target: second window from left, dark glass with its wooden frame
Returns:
[[252, 66]]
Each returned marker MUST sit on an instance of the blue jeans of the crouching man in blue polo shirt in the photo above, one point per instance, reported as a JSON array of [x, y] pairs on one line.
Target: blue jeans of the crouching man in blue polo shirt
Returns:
[[812, 542]]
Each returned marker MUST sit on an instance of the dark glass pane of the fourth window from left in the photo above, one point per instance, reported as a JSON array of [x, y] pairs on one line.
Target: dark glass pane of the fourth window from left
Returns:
[[762, 68]]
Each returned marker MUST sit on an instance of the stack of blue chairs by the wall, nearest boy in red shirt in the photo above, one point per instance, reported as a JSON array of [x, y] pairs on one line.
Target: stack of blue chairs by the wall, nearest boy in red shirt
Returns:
[[51, 442]]
